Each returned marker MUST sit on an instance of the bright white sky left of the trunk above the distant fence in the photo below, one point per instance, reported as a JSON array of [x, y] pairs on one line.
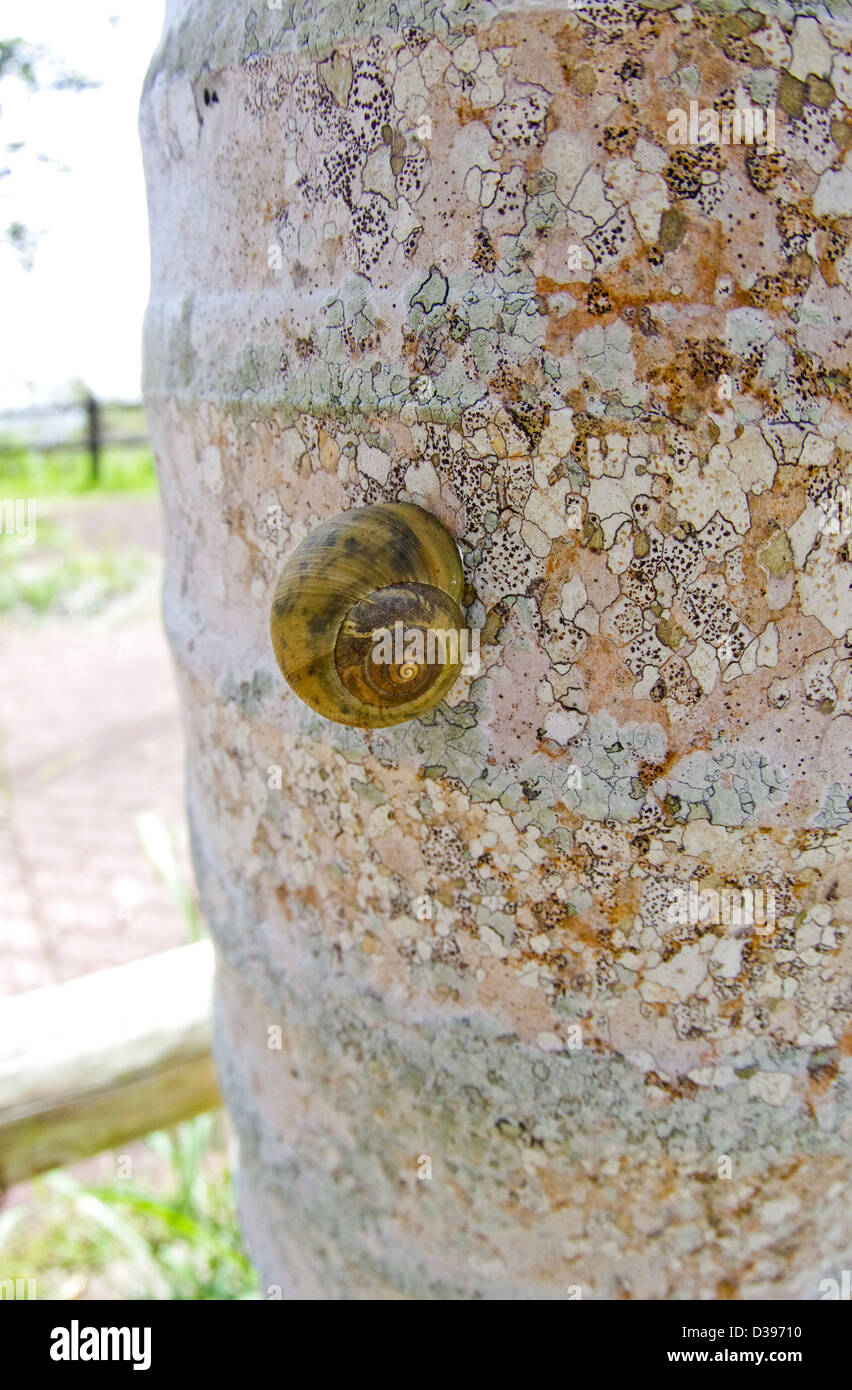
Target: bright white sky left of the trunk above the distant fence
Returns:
[[79, 186]]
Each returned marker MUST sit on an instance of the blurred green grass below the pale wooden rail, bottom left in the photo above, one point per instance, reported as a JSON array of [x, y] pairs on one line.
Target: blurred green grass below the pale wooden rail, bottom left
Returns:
[[173, 1236]]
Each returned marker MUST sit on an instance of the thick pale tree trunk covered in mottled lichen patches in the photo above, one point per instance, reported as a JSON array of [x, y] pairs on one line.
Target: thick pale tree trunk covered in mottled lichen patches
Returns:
[[548, 993]]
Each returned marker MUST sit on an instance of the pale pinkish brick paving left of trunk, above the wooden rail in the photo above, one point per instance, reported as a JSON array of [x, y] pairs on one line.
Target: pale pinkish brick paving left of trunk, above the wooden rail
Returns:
[[90, 739]]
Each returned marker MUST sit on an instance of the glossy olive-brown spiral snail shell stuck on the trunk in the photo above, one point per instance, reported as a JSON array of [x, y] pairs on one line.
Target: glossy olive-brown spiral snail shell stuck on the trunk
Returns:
[[354, 576]]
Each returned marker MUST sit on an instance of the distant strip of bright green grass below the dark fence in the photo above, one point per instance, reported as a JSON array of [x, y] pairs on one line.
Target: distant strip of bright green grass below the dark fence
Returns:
[[69, 473]]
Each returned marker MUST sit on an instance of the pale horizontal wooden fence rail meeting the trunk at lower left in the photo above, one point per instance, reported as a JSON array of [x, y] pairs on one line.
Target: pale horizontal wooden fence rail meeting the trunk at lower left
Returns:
[[104, 1060]]
